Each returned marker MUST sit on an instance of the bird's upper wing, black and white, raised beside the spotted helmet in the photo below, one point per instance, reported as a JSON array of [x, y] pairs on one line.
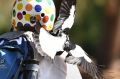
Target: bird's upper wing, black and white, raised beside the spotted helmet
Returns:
[[66, 15]]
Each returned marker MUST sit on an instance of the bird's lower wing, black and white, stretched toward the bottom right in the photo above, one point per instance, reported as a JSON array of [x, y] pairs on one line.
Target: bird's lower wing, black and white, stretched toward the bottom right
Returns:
[[79, 57]]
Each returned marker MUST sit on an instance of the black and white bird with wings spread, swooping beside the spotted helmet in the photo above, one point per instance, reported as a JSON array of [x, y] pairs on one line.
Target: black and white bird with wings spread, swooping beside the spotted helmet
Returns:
[[74, 53]]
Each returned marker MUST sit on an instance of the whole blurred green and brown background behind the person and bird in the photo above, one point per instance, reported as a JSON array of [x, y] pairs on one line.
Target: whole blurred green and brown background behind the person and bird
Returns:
[[96, 30]]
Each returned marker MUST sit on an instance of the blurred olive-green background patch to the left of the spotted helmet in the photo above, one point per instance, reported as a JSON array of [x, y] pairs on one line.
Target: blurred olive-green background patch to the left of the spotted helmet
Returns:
[[5, 14]]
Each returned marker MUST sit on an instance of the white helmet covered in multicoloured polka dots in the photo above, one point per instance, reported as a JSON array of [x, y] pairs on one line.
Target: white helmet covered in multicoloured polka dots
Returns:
[[30, 14]]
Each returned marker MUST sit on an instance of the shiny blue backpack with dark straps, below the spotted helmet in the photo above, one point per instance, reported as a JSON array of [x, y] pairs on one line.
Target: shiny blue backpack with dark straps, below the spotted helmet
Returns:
[[16, 57]]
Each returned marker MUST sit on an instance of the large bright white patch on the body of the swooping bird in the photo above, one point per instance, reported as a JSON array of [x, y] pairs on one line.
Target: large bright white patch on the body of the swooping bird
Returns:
[[51, 44]]
